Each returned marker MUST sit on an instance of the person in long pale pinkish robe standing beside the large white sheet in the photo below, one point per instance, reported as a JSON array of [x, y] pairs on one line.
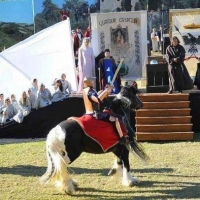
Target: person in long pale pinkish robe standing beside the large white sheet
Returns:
[[86, 62]]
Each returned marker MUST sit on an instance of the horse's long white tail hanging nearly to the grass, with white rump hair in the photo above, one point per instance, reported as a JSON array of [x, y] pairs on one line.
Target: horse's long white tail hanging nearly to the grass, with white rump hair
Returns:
[[57, 159]]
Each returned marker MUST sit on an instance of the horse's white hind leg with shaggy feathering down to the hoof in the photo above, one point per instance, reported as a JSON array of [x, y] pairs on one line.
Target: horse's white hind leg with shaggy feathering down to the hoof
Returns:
[[56, 149]]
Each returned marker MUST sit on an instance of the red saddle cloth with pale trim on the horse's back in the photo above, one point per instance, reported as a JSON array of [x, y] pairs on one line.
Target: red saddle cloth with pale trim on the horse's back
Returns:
[[104, 133]]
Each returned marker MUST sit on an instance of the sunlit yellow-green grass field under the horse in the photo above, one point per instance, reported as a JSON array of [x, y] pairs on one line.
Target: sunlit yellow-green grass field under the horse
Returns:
[[173, 172]]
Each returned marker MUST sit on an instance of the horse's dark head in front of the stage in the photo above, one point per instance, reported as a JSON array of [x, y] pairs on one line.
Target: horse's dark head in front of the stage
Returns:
[[128, 97]]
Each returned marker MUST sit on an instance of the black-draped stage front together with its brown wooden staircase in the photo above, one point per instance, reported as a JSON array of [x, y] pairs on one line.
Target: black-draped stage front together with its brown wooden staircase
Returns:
[[163, 117]]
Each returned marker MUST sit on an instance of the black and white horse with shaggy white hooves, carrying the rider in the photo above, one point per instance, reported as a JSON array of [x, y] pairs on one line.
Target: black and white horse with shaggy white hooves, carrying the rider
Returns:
[[67, 141]]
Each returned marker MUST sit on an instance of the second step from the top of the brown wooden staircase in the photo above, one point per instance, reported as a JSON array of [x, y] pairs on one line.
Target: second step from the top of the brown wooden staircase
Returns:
[[166, 105]]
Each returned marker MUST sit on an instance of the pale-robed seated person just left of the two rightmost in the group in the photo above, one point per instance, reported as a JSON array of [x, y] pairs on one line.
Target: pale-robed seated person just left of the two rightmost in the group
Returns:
[[43, 97]]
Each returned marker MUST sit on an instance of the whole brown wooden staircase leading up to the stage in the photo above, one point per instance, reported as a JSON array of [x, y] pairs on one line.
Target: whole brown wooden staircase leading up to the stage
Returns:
[[164, 117]]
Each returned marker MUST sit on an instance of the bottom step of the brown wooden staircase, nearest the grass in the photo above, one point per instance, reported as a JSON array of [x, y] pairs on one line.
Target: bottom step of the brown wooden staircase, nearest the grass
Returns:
[[165, 136]]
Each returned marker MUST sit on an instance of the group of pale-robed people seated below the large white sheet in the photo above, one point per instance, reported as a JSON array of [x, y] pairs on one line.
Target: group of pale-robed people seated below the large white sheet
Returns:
[[36, 97]]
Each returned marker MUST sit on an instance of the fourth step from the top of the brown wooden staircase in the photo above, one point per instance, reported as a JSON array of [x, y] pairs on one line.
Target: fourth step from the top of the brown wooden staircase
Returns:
[[164, 120]]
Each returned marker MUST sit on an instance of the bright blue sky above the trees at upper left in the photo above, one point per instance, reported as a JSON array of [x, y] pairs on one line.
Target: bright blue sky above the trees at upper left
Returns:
[[21, 11]]
